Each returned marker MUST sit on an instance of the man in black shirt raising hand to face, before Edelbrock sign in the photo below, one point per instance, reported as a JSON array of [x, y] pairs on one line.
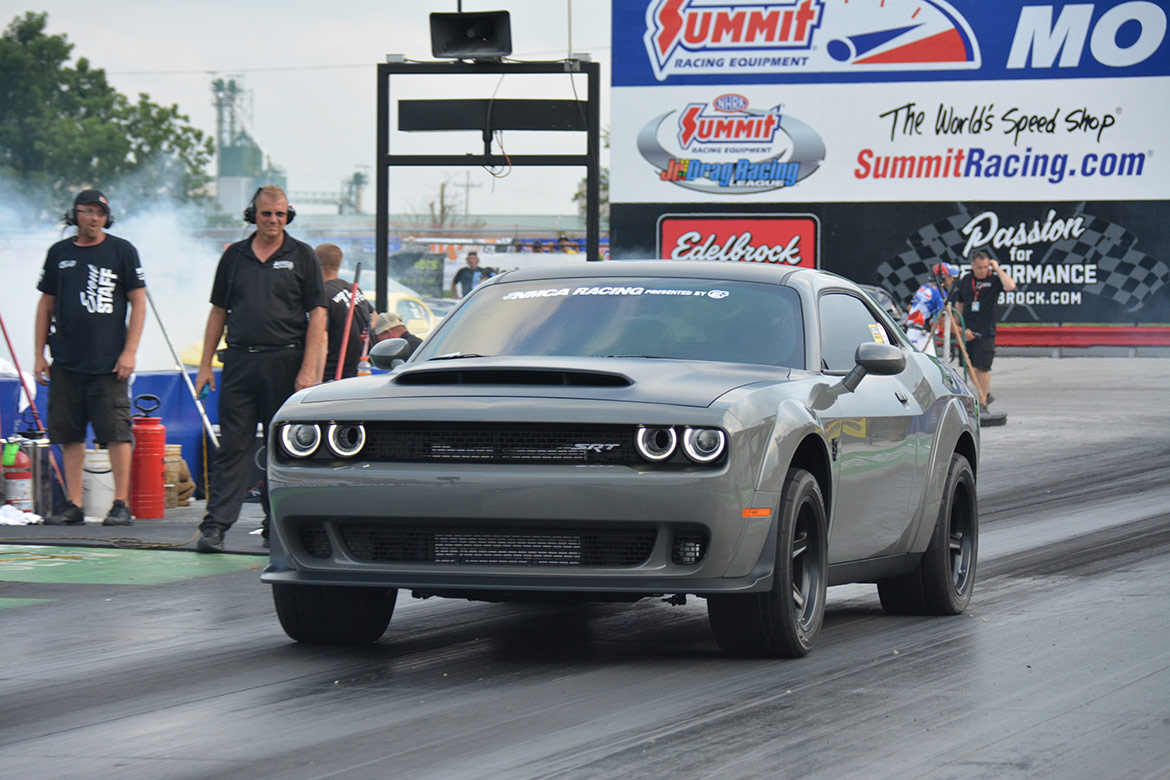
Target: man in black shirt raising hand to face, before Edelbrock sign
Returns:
[[976, 296]]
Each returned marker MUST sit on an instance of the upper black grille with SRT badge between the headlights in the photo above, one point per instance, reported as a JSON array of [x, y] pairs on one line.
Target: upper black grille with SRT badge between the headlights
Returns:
[[474, 443]]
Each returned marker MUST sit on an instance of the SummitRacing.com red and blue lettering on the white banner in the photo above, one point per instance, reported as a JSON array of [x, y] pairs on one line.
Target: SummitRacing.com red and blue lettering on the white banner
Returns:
[[978, 163]]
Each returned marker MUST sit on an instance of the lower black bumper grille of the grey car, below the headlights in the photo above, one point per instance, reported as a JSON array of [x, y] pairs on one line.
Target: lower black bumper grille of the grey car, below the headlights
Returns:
[[500, 547]]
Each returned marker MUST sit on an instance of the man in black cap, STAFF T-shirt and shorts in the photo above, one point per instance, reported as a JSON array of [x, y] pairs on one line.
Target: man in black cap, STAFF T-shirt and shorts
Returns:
[[86, 287]]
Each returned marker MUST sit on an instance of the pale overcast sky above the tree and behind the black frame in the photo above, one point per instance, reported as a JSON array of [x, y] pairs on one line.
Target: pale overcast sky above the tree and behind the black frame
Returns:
[[311, 70]]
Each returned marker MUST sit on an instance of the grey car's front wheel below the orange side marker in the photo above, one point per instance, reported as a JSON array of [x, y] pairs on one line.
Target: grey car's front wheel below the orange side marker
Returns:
[[783, 623]]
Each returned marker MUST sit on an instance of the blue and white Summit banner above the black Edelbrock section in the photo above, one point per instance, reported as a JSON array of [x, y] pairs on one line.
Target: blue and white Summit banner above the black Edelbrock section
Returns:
[[890, 100]]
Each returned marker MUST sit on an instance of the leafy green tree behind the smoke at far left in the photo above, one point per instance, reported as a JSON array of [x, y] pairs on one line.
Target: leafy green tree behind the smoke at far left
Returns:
[[66, 128]]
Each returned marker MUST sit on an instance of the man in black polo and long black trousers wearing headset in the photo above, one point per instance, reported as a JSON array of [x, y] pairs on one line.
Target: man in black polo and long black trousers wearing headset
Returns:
[[269, 293]]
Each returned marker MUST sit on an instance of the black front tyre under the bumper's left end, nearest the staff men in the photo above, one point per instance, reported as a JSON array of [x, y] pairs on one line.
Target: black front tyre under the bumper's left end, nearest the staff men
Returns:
[[334, 615]]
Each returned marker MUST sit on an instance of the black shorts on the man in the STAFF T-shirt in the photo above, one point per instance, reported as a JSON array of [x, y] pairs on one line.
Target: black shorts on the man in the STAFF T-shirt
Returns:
[[75, 399]]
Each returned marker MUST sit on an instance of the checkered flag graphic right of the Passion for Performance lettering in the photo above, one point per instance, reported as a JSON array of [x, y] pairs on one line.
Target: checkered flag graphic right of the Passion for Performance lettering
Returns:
[[1125, 275]]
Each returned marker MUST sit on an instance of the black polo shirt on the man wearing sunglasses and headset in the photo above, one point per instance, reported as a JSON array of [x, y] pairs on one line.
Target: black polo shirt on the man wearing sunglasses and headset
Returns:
[[269, 302]]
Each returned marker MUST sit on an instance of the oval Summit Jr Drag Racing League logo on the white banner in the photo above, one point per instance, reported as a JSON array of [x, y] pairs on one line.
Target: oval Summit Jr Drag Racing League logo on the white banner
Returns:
[[727, 148]]
